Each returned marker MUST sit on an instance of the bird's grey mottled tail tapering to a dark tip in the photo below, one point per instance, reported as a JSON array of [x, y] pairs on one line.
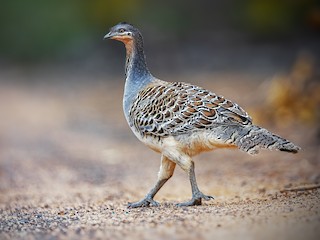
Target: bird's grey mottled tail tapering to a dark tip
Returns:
[[252, 138]]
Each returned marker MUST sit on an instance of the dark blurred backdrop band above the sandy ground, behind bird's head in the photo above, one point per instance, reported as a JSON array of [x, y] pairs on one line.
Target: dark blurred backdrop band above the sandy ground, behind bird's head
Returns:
[[248, 35]]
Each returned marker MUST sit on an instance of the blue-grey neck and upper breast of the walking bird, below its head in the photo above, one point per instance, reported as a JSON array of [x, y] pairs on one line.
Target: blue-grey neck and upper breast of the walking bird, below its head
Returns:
[[137, 73]]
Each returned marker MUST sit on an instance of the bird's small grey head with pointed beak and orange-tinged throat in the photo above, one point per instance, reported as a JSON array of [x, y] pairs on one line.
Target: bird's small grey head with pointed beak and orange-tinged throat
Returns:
[[123, 32]]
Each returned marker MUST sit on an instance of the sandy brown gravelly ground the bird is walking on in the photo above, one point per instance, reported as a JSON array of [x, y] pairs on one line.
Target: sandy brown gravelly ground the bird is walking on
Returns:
[[69, 165]]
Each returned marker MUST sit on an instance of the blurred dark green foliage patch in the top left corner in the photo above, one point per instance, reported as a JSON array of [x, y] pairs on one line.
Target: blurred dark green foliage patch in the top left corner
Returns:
[[38, 28]]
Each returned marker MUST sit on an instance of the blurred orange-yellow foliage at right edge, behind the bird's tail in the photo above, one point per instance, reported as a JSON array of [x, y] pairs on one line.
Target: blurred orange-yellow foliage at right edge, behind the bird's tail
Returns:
[[294, 97]]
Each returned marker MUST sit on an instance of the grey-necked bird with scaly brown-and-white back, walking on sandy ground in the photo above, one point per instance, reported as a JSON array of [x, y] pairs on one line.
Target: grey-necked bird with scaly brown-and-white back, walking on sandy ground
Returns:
[[180, 120]]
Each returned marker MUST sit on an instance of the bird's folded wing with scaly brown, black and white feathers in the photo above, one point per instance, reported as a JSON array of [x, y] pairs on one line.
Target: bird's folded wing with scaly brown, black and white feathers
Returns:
[[165, 109]]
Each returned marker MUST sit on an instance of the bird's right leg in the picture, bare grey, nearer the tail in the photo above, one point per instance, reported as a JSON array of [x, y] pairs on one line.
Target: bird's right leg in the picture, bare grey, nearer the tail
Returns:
[[197, 196]]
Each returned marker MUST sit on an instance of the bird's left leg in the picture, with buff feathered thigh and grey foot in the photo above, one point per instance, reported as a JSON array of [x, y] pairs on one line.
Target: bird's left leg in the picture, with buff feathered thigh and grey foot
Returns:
[[166, 171]]
